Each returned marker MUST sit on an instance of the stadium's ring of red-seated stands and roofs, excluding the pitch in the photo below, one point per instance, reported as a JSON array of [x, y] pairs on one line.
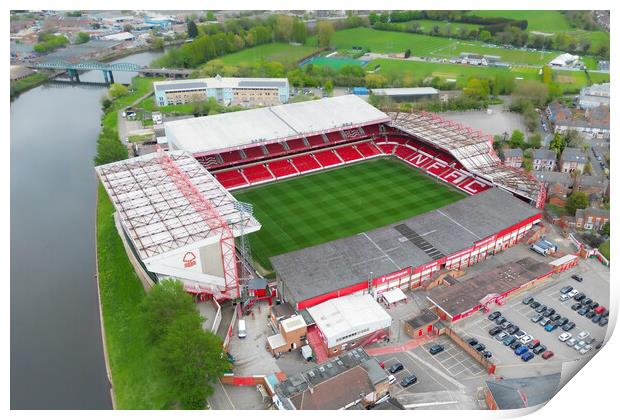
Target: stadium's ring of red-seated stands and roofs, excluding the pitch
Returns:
[[169, 204]]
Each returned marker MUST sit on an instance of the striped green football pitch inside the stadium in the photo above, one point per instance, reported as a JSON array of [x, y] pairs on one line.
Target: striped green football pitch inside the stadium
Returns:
[[321, 207]]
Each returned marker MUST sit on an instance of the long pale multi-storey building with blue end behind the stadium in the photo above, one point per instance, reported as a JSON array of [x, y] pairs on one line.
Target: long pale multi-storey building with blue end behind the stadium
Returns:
[[226, 90]]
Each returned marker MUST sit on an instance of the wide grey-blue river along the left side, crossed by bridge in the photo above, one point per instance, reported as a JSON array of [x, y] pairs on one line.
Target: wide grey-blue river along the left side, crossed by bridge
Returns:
[[56, 351]]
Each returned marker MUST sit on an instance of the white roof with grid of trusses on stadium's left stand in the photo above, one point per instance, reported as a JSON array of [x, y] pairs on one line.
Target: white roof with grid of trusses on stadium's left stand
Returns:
[[158, 208]]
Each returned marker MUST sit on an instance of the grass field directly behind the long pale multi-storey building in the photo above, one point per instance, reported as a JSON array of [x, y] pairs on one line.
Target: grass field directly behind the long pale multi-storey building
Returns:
[[284, 53]]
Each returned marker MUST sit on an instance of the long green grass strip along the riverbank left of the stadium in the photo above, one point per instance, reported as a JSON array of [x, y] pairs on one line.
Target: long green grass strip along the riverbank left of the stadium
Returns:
[[136, 381]]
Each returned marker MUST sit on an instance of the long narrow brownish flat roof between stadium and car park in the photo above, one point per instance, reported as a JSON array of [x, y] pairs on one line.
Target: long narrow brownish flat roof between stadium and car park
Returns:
[[472, 289]]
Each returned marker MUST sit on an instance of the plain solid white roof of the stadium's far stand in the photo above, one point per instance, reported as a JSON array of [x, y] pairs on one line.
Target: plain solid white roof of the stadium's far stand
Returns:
[[221, 132]]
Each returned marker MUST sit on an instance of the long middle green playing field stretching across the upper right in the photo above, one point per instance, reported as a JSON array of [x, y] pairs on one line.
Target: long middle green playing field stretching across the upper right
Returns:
[[428, 46]]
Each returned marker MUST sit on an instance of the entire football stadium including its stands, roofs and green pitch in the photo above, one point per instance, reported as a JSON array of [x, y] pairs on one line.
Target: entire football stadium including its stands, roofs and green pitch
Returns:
[[322, 198]]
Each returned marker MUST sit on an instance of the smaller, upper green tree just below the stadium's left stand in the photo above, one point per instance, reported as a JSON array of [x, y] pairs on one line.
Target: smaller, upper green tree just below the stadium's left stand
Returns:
[[165, 302]]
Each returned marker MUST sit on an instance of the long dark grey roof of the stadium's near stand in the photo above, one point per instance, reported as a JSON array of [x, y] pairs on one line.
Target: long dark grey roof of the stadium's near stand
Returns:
[[333, 265]]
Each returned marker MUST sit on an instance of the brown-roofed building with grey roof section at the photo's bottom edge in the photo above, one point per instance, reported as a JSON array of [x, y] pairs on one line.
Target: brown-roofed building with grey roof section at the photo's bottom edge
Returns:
[[353, 378]]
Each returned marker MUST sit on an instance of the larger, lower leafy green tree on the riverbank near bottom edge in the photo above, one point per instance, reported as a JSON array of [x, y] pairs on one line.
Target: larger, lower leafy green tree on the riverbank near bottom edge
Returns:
[[191, 359]]
